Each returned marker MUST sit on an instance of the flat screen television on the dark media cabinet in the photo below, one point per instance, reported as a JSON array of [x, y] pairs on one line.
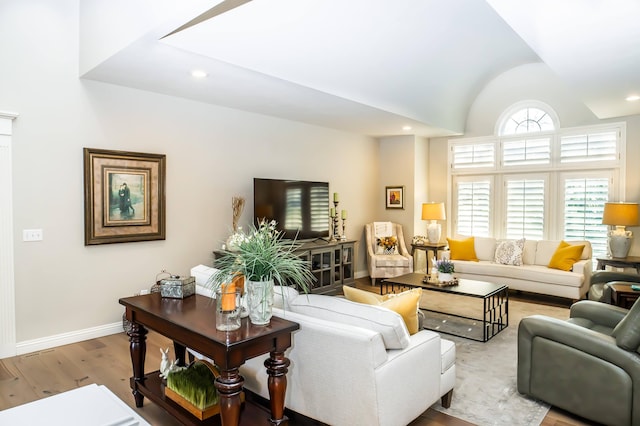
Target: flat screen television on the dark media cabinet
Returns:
[[300, 208]]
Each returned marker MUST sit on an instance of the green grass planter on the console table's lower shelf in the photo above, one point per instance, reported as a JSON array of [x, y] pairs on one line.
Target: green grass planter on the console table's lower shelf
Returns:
[[195, 384]]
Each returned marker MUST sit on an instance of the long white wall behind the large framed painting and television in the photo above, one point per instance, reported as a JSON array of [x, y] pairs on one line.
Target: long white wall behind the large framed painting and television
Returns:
[[212, 154]]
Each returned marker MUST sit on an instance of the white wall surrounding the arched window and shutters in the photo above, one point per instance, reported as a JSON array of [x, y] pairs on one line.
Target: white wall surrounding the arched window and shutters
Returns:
[[533, 82]]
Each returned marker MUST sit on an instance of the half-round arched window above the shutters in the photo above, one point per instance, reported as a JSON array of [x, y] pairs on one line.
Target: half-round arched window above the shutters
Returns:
[[527, 117]]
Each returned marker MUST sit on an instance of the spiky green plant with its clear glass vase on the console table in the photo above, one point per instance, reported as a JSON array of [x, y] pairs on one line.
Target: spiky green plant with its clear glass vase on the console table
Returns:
[[262, 257]]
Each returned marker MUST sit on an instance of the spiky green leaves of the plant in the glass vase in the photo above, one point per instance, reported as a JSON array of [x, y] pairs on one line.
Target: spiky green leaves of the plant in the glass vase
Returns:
[[264, 255]]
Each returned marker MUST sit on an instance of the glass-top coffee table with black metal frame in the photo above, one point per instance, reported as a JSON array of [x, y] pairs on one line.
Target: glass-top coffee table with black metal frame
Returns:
[[494, 298]]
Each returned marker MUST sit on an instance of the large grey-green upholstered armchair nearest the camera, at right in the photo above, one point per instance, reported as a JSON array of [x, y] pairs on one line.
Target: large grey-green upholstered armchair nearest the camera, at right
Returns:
[[588, 365]]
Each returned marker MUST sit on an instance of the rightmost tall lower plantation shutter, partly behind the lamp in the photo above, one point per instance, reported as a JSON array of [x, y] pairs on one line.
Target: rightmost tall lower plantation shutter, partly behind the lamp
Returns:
[[584, 200]]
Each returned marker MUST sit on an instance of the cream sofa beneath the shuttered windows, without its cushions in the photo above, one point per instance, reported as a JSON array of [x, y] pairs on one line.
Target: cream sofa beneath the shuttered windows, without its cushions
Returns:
[[533, 275]]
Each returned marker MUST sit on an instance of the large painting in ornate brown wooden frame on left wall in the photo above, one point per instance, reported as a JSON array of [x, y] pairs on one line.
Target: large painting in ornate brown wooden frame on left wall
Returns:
[[124, 199]]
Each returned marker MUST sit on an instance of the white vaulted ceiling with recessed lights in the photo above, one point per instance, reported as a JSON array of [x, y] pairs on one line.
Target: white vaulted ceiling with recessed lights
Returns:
[[364, 66]]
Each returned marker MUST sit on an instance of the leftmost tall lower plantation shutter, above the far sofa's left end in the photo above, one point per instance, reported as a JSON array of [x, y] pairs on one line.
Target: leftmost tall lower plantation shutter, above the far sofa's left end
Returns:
[[473, 203]]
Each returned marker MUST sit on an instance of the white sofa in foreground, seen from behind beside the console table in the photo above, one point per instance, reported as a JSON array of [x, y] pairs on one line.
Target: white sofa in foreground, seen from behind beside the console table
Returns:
[[353, 364]]
